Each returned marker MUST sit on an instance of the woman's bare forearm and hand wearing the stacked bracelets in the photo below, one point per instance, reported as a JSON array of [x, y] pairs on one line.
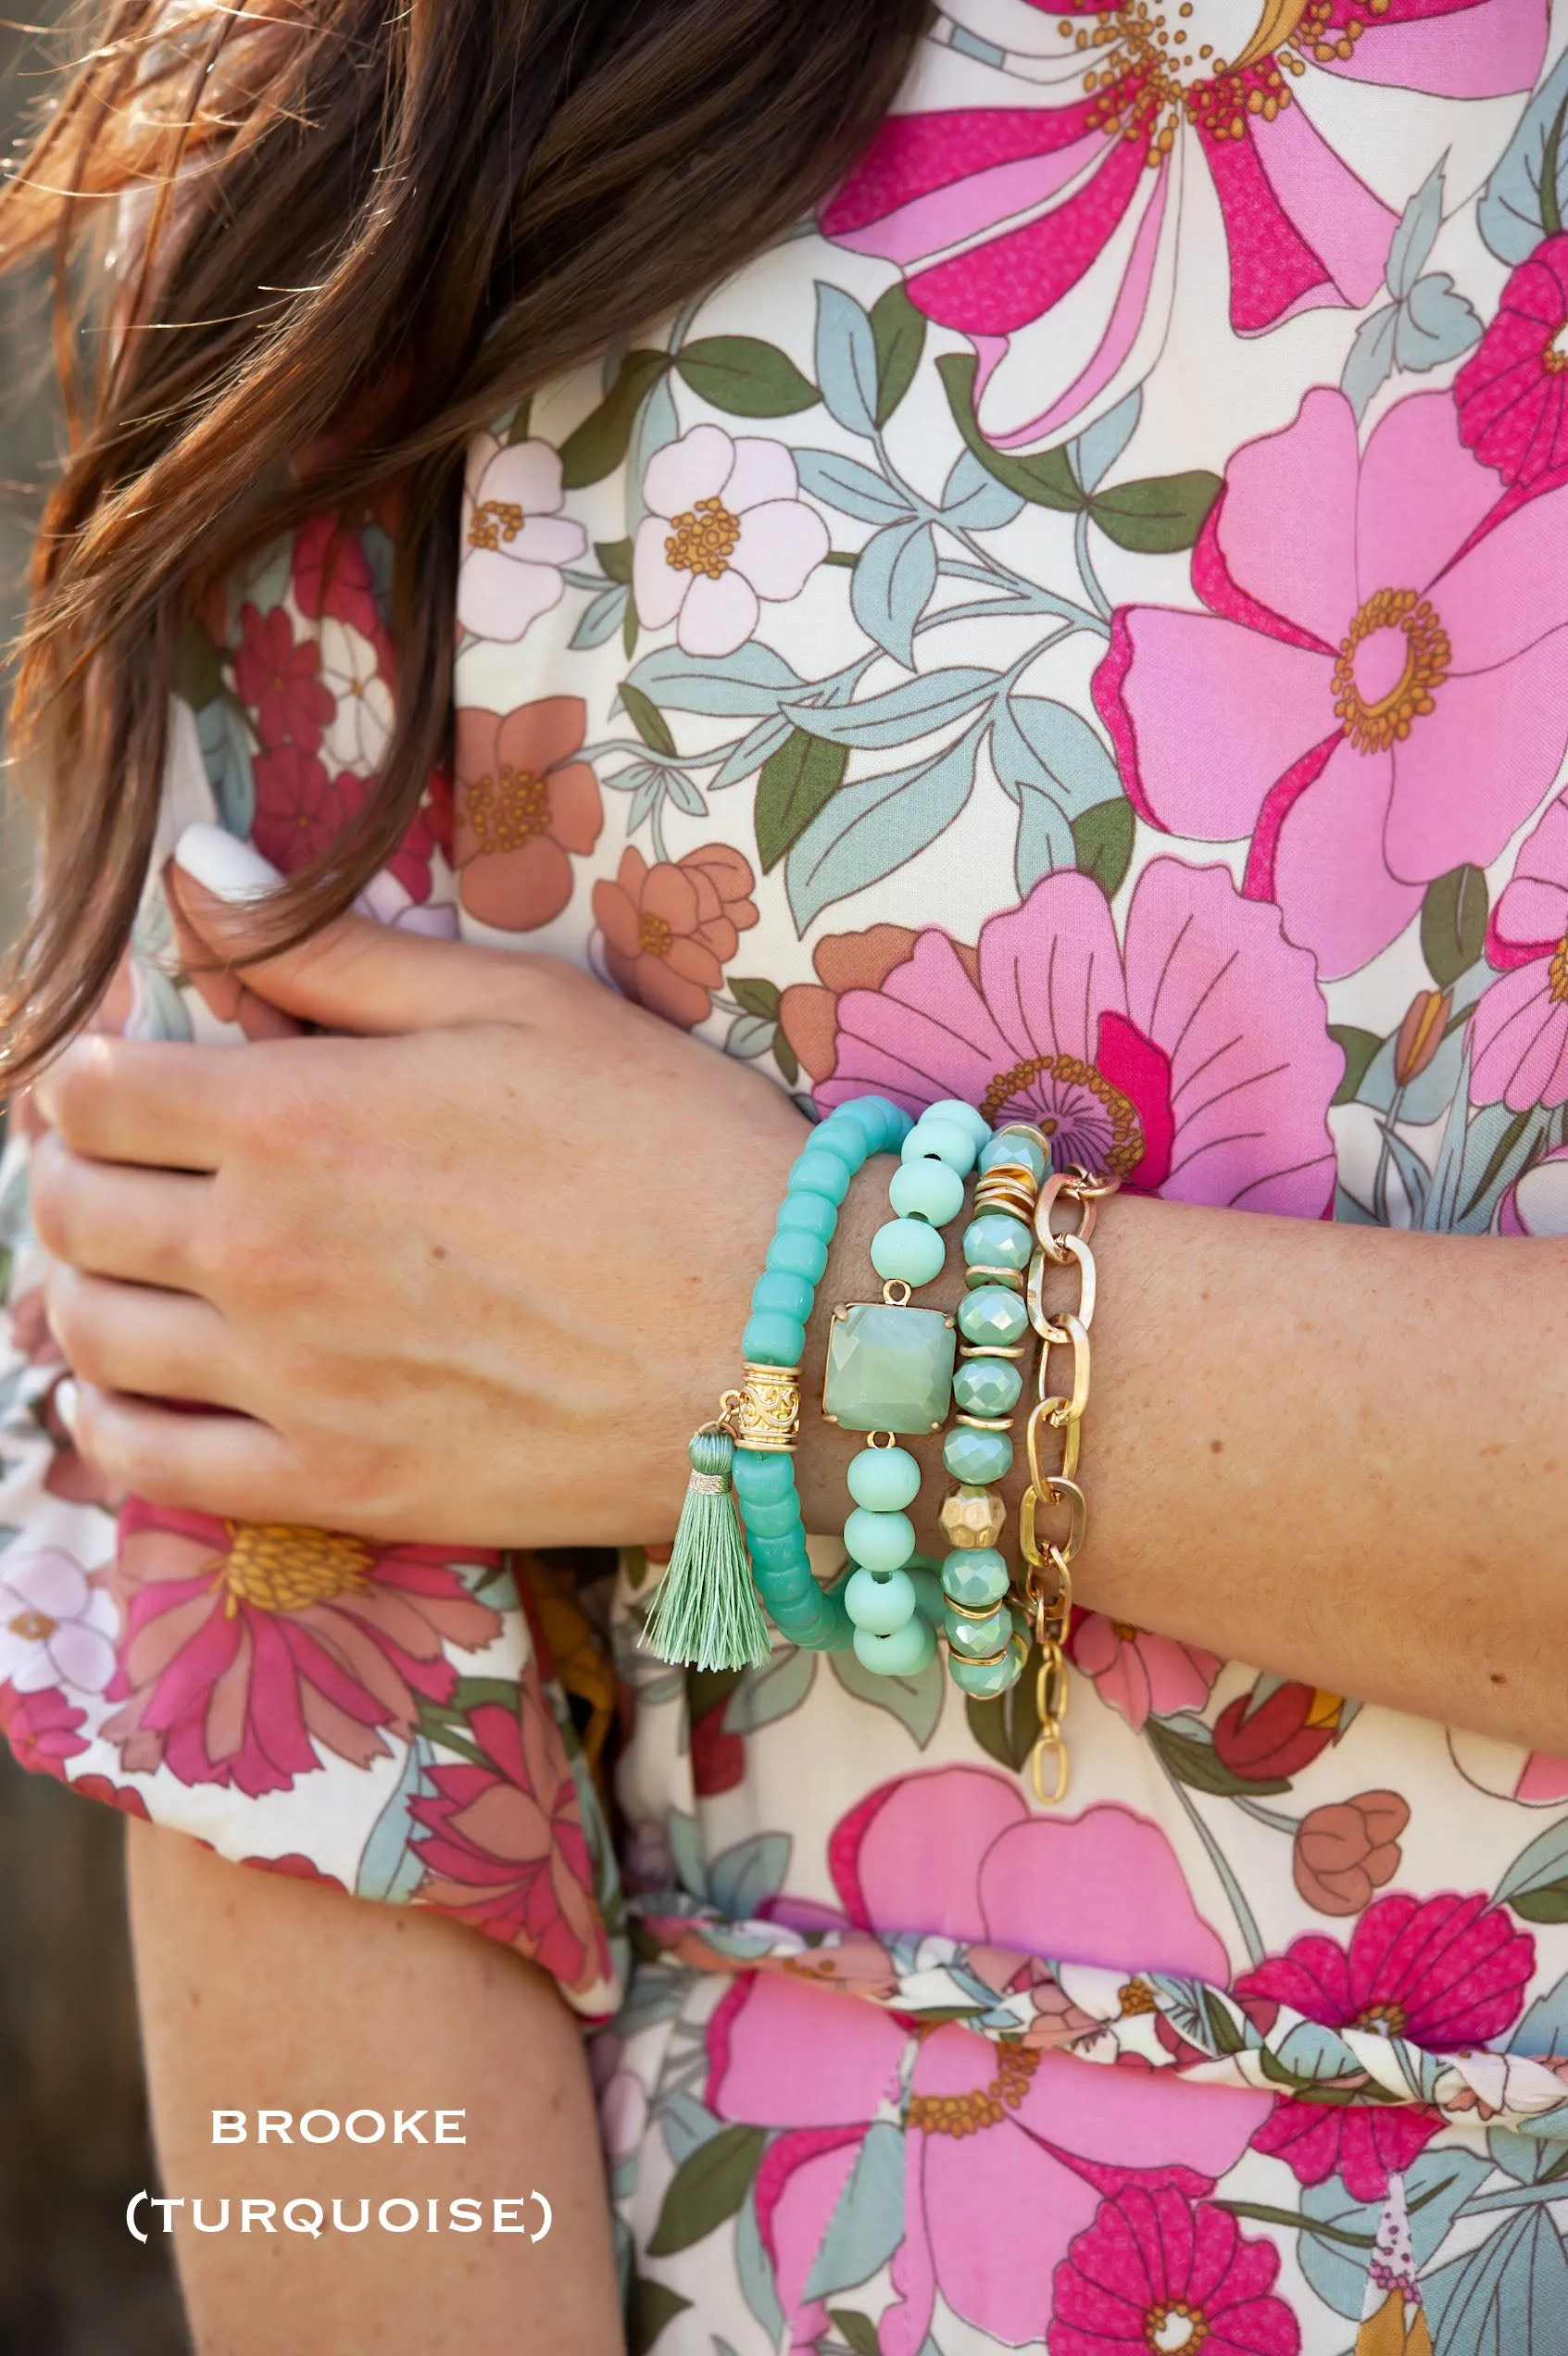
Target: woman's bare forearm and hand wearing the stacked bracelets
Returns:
[[525, 1245]]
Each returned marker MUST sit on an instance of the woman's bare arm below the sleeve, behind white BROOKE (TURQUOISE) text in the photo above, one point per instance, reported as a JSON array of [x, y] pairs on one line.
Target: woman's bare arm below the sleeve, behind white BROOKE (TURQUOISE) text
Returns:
[[272, 1994]]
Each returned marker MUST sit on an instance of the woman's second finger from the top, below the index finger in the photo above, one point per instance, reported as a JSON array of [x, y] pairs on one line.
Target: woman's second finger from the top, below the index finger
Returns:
[[114, 1219]]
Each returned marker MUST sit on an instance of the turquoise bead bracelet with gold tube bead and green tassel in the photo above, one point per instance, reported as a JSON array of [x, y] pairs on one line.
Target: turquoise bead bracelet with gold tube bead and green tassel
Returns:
[[709, 1606]]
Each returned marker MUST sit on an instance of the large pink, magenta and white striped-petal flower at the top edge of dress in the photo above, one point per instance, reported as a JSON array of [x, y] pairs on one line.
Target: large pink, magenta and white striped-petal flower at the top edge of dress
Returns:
[[1074, 190]]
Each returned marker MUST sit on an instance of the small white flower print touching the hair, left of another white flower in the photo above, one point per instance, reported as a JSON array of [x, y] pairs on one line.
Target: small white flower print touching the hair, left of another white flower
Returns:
[[515, 538]]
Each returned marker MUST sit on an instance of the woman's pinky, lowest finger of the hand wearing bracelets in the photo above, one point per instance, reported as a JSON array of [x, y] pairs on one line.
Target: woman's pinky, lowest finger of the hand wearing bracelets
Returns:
[[204, 1464]]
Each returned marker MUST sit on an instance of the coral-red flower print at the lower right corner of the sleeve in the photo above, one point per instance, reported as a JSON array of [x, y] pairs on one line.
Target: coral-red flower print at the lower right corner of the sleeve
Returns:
[[506, 1848]]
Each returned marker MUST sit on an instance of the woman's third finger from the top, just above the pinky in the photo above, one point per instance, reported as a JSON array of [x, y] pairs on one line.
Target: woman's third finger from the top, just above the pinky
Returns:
[[131, 1337]]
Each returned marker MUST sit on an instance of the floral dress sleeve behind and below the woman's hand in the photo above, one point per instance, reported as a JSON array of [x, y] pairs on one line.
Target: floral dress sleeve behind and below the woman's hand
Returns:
[[388, 1719]]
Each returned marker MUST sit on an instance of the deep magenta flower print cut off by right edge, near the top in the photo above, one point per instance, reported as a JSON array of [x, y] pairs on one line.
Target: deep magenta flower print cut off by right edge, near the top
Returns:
[[1515, 385]]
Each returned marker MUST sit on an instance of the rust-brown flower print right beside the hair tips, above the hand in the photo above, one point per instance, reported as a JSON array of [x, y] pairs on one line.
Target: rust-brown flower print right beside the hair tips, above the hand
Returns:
[[525, 807]]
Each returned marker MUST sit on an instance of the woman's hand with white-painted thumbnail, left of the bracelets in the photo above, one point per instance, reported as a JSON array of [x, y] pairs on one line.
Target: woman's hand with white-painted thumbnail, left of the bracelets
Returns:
[[475, 1278]]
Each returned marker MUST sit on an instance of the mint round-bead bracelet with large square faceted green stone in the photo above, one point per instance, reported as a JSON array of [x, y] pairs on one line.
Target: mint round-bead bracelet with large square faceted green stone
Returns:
[[890, 1370]]
